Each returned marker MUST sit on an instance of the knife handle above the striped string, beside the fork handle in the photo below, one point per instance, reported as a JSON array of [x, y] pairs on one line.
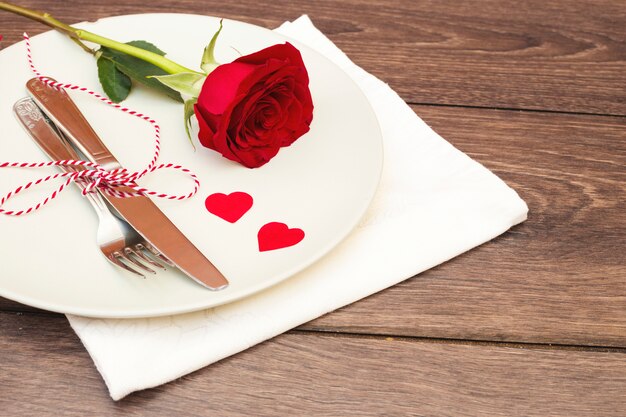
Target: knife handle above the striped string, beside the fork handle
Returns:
[[62, 110]]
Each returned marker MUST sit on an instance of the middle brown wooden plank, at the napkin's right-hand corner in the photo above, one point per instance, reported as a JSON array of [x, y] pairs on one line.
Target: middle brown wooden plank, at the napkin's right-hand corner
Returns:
[[558, 277]]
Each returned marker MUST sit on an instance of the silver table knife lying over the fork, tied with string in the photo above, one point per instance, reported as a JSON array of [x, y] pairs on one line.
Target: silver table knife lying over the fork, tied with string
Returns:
[[139, 212]]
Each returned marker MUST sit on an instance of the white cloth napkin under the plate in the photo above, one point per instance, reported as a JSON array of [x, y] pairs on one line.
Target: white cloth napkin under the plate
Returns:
[[433, 203]]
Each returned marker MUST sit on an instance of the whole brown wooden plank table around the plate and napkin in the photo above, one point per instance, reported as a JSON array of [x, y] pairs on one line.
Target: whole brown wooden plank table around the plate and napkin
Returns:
[[532, 323]]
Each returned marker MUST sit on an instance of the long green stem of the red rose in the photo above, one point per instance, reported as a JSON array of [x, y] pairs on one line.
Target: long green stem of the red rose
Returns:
[[165, 64]]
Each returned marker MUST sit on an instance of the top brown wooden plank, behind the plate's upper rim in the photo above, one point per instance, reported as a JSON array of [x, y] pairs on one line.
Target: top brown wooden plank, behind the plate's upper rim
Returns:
[[565, 56]]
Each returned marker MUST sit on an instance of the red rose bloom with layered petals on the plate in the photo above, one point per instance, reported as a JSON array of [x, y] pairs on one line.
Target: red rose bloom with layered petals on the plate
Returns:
[[249, 109]]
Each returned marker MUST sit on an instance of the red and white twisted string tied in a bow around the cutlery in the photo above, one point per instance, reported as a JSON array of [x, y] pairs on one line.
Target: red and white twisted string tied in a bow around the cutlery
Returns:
[[94, 175]]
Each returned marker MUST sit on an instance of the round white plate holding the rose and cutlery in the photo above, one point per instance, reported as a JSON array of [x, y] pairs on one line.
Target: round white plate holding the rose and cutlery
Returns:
[[322, 184]]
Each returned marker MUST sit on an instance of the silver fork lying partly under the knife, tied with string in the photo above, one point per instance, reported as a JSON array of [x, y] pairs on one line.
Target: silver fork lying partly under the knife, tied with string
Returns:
[[118, 241]]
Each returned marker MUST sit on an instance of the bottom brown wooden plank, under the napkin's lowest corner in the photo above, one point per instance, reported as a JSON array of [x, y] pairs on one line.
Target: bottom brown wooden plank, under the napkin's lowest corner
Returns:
[[44, 368]]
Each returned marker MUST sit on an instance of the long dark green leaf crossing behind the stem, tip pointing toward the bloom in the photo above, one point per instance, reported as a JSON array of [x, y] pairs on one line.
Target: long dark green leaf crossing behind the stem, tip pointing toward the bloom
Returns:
[[139, 70]]
